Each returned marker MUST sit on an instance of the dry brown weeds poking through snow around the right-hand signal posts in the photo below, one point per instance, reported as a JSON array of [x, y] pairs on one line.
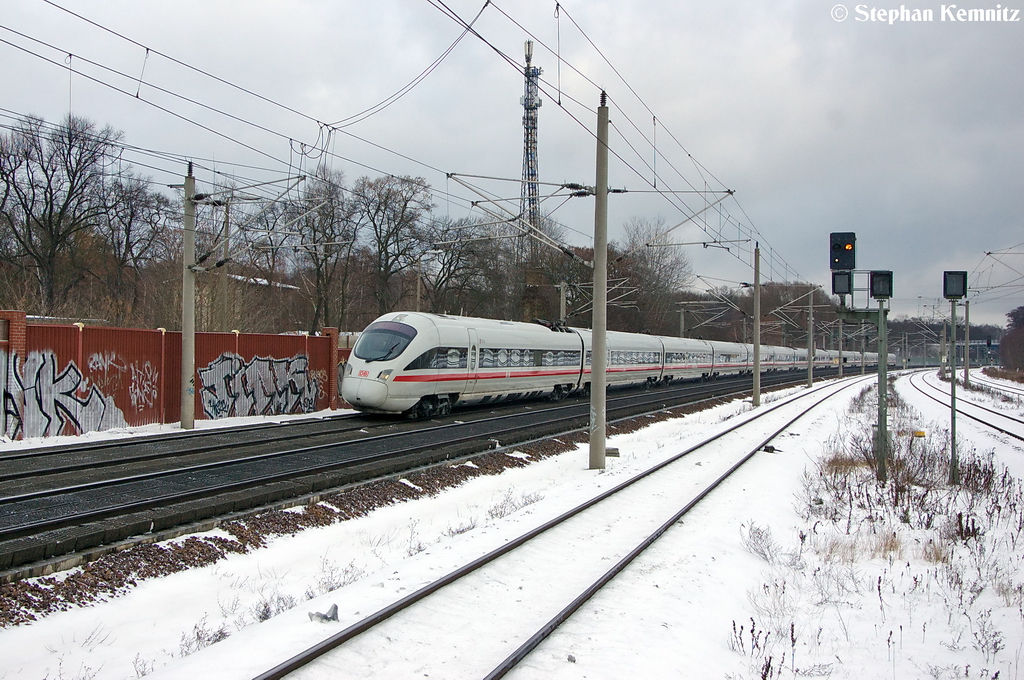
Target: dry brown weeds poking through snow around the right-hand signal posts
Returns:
[[878, 559]]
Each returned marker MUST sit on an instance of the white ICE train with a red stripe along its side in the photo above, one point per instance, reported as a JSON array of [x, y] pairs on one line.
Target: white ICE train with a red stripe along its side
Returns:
[[424, 364]]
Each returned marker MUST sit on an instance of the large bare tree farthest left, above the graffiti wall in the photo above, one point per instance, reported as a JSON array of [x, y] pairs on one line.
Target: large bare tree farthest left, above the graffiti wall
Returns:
[[54, 194]]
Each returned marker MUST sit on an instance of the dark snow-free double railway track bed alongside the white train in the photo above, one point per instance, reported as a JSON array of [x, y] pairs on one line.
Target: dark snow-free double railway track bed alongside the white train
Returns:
[[59, 502]]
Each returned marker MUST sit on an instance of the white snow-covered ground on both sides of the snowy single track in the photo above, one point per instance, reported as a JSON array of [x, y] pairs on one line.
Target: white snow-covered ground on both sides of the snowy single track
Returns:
[[766, 579]]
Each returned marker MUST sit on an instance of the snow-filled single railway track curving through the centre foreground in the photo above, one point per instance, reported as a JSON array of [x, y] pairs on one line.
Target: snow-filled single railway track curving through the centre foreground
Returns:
[[537, 581]]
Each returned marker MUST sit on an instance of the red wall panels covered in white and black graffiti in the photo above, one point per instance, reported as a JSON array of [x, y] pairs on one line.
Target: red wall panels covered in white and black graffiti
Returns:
[[76, 379]]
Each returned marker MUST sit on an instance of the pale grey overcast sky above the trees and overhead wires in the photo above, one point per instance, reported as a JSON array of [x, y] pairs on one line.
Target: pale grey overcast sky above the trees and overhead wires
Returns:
[[909, 134]]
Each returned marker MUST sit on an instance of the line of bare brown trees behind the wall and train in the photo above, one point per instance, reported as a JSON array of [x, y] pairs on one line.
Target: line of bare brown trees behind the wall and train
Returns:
[[86, 236]]
